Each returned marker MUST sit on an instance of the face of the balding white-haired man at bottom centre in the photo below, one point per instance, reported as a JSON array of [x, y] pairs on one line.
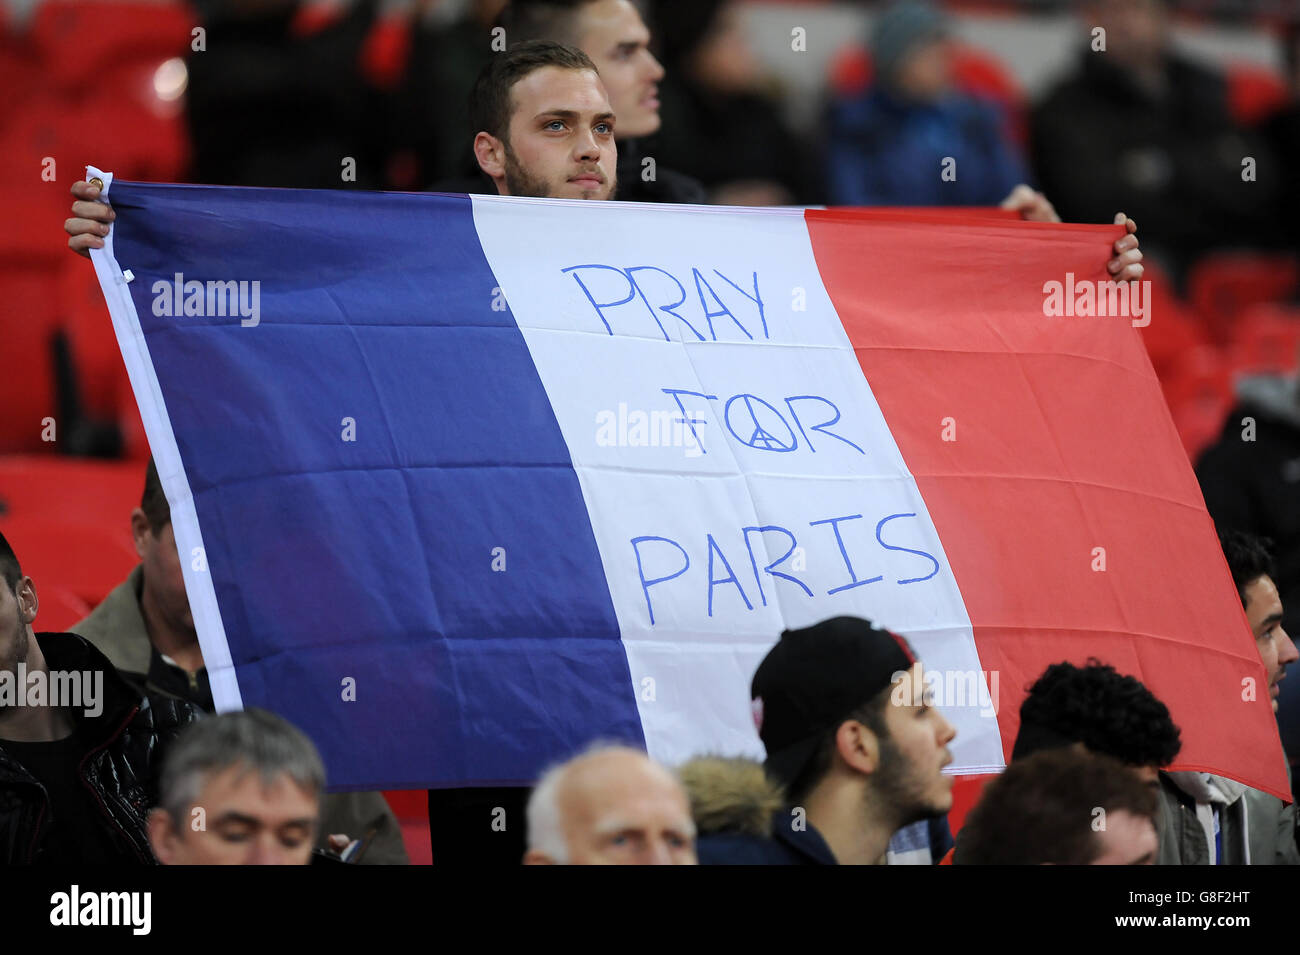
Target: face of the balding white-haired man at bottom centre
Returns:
[[619, 809]]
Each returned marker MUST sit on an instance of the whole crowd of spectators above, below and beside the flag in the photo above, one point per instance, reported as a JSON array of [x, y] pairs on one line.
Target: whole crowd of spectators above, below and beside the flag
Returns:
[[855, 749]]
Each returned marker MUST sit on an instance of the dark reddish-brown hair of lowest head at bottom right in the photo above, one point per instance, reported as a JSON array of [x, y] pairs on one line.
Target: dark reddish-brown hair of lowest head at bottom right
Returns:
[[1045, 810]]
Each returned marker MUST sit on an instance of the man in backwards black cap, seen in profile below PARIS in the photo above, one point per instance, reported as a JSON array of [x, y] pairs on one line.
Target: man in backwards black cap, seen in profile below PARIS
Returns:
[[851, 740]]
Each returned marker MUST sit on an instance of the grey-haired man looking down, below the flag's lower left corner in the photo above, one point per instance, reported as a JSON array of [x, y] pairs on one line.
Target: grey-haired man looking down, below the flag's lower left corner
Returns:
[[239, 789]]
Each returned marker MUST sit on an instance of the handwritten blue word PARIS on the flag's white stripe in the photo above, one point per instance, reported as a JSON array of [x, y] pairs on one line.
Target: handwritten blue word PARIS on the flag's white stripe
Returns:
[[661, 559]]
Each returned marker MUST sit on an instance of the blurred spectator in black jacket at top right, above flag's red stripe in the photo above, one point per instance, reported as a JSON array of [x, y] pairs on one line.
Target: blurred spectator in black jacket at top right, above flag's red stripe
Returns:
[[1141, 127]]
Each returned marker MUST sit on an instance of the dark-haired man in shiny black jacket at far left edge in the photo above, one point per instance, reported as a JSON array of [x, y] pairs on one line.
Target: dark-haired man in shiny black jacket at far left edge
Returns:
[[80, 750]]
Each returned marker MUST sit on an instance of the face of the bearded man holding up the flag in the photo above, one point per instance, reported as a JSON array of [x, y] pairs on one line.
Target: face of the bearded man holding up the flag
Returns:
[[561, 141]]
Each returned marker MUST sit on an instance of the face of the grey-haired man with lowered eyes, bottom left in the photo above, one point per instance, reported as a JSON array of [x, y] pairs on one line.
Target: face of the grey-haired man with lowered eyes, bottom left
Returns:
[[244, 823]]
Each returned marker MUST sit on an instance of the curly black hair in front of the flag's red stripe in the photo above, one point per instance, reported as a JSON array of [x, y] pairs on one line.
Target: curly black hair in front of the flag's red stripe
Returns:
[[1102, 709]]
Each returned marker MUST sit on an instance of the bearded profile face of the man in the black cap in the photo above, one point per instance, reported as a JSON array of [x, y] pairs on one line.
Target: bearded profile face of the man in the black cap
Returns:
[[912, 759]]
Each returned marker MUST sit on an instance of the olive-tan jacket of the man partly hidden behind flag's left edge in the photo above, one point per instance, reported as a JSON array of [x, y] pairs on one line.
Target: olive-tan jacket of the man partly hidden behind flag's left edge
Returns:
[[116, 627]]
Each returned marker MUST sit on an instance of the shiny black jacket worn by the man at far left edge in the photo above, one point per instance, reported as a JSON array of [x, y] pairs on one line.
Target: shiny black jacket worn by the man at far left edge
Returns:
[[120, 767]]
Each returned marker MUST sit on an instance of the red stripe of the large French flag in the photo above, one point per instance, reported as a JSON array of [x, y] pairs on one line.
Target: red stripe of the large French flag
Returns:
[[1063, 445]]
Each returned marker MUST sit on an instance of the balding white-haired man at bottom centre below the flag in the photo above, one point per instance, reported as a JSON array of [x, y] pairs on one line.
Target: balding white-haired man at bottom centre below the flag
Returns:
[[610, 806]]
